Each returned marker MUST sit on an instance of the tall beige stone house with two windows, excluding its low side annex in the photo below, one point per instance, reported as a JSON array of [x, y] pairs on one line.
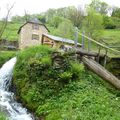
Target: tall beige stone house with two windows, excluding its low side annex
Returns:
[[30, 33]]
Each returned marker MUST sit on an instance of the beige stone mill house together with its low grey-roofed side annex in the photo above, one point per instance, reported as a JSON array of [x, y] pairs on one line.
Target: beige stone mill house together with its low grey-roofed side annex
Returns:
[[34, 32]]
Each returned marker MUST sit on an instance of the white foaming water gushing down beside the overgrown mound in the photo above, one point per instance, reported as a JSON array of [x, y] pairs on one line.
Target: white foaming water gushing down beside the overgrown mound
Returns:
[[8, 104]]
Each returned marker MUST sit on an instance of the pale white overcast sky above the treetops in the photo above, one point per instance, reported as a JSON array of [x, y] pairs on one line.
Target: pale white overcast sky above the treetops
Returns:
[[38, 6]]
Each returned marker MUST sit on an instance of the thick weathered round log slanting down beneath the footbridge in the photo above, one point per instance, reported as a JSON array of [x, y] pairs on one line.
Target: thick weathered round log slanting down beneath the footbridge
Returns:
[[101, 71]]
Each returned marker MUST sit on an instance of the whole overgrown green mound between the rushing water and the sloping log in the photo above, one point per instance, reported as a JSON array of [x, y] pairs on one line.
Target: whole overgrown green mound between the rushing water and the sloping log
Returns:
[[55, 87]]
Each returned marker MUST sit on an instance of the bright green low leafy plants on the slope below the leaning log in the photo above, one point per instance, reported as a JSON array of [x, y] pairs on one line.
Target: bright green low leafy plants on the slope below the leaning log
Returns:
[[85, 99]]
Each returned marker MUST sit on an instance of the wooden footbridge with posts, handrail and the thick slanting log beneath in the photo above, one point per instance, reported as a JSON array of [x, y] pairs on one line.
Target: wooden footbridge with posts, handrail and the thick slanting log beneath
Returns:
[[91, 55]]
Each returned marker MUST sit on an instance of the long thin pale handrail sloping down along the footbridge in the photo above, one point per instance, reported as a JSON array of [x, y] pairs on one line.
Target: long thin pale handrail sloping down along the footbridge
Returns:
[[98, 43]]
